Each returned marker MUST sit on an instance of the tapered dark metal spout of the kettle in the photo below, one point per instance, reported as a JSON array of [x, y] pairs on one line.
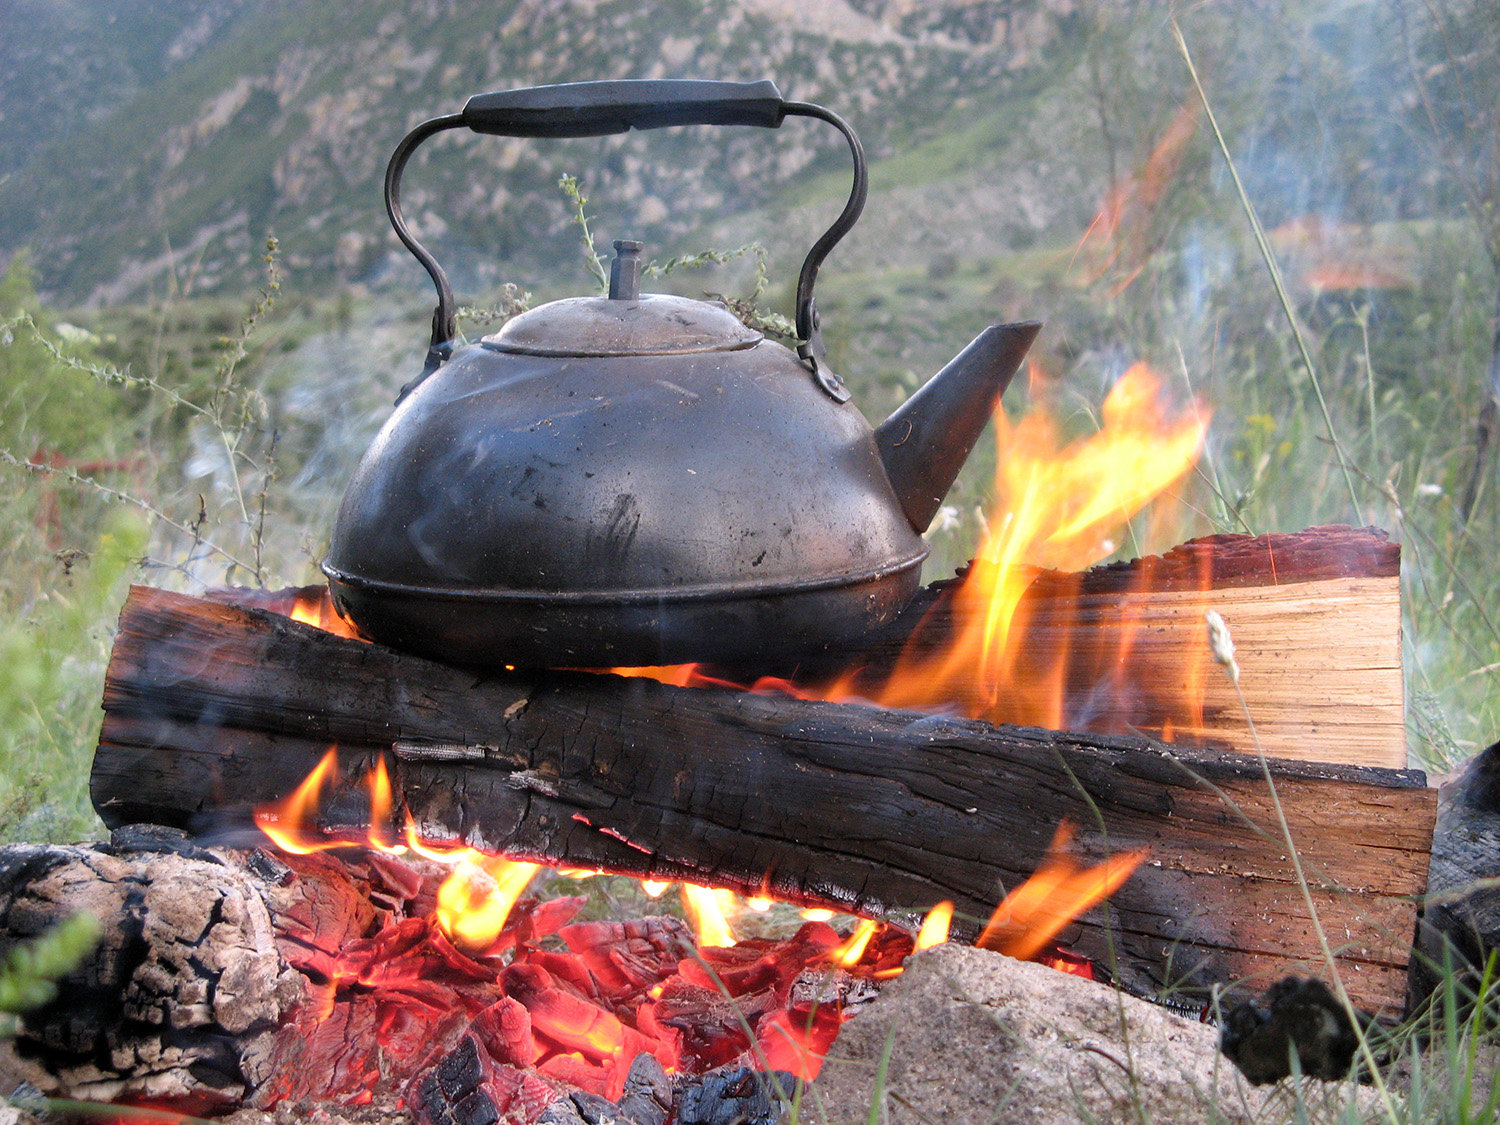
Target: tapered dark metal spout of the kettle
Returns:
[[926, 442]]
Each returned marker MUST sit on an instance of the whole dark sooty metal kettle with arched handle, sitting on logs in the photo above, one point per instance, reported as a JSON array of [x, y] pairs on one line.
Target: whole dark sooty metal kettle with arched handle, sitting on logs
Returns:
[[641, 479]]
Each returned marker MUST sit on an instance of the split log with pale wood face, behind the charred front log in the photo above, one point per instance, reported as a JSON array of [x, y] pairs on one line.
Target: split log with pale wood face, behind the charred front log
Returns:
[[1316, 620]]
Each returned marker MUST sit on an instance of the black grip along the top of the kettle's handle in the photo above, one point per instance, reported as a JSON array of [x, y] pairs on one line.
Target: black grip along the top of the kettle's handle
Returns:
[[599, 109]]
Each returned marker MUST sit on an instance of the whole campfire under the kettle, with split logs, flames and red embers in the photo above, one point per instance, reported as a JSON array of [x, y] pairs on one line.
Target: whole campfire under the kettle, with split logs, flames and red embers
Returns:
[[428, 835]]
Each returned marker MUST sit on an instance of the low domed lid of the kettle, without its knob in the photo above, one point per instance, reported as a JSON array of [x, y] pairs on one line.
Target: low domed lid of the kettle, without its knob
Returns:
[[650, 325]]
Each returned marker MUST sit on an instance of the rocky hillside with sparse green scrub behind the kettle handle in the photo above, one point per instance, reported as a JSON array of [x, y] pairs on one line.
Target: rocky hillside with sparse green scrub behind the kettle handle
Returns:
[[178, 145]]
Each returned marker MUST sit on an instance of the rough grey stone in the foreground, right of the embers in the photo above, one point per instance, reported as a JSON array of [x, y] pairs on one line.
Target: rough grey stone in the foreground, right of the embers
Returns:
[[979, 1037]]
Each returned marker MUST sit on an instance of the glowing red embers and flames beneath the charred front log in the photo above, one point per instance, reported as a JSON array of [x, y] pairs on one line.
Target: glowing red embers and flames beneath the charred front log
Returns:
[[463, 937]]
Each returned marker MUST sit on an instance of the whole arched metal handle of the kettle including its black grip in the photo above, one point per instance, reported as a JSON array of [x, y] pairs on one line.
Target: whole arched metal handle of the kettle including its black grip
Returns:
[[614, 107]]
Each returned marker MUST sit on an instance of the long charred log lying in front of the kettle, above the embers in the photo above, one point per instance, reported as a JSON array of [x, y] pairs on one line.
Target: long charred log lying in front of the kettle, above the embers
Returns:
[[214, 710]]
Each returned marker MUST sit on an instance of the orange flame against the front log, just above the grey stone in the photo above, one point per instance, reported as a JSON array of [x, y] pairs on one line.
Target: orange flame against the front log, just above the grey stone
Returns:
[[1031, 916]]
